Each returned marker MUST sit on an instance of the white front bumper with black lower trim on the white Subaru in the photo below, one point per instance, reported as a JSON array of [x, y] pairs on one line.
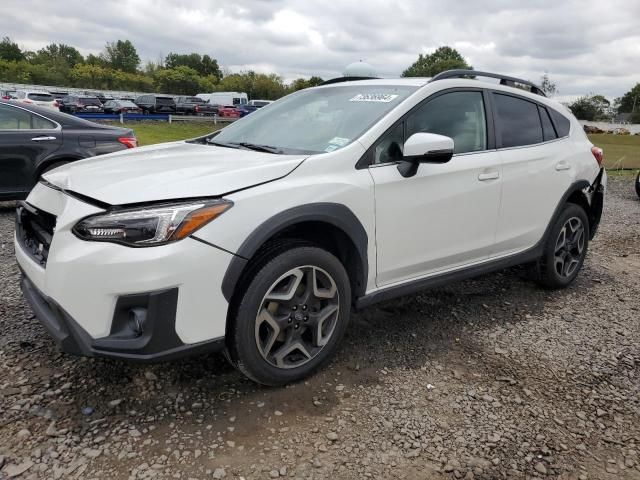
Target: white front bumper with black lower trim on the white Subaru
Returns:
[[85, 292]]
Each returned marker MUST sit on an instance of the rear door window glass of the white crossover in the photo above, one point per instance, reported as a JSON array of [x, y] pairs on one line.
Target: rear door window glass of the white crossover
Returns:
[[518, 121]]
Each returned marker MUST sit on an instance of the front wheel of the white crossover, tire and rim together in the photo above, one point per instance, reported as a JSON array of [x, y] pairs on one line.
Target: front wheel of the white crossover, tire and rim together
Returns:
[[273, 341]]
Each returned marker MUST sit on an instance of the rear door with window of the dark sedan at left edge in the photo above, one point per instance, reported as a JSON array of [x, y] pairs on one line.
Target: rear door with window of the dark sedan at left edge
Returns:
[[25, 140]]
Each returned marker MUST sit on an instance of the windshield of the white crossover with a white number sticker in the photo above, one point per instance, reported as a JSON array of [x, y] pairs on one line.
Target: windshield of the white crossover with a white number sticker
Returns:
[[316, 120]]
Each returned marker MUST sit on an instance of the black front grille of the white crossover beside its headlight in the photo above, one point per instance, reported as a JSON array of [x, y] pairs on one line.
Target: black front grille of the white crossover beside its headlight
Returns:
[[34, 231]]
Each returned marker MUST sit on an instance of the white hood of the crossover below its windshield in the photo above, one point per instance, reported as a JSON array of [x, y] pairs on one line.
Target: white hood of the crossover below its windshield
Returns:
[[170, 171]]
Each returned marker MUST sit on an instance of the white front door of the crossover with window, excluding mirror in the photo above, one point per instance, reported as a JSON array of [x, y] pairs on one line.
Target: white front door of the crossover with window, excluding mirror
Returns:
[[445, 216]]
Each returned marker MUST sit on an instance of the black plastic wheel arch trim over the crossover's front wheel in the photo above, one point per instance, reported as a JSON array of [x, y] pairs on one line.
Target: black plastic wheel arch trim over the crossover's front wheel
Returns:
[[335, 214]]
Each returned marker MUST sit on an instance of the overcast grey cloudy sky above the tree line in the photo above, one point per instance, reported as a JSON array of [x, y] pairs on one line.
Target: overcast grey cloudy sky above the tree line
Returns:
[[586, 46]]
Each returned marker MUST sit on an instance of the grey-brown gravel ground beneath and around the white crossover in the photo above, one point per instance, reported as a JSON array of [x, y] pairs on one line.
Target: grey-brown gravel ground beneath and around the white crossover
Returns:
[[489, 378]]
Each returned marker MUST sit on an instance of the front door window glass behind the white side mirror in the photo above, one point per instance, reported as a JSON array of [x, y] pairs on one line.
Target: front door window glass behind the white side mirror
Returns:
[[459, 115]]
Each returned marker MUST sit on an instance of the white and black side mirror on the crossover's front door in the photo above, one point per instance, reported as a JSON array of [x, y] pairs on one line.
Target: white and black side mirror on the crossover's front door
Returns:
[[424, 148]]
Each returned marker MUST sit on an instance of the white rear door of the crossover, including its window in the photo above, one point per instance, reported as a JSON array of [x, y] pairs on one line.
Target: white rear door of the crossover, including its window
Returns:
[[536, 166]]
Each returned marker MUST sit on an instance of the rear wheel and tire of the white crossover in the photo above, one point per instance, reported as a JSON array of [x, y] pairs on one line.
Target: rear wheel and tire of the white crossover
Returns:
[[565, 249]]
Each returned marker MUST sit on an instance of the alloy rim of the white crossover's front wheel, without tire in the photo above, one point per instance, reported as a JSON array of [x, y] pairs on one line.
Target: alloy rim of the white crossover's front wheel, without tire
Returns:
[[297, 317]]
